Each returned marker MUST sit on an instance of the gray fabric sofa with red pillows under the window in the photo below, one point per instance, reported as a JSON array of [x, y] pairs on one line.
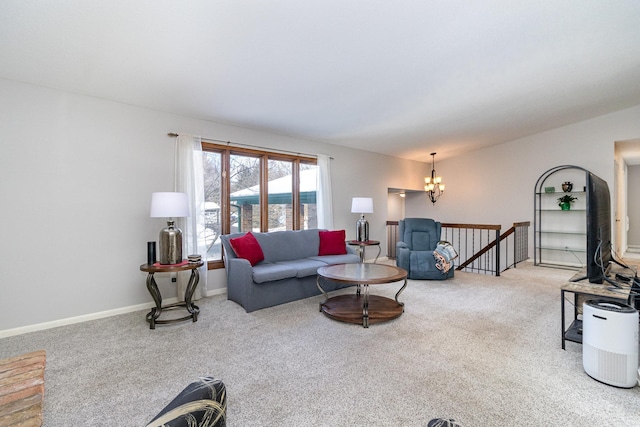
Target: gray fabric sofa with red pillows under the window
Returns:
[[287, 273]]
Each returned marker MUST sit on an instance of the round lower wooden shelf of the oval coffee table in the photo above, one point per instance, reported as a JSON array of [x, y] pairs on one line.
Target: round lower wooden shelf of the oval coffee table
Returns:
[[349, 308]]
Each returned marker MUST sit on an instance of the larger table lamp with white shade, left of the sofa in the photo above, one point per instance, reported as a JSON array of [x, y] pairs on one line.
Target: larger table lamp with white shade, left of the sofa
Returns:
[[169, 205]]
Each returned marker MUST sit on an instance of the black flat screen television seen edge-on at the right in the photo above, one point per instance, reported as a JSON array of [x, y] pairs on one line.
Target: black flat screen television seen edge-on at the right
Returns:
[[599, 252]]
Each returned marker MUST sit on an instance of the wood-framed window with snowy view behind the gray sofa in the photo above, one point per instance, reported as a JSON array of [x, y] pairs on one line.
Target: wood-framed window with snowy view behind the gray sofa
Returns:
[[251, 190]]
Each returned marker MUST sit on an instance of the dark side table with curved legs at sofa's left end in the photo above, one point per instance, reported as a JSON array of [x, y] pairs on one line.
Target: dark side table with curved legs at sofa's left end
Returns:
[[152, 286]]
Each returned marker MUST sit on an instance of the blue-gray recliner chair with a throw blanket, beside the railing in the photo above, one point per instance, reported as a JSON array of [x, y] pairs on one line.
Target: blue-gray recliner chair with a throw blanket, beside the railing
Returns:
[[419, 237]]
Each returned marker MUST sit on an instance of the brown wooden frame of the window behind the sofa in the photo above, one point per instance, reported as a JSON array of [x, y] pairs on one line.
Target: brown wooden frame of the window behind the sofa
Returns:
[[226, 151]]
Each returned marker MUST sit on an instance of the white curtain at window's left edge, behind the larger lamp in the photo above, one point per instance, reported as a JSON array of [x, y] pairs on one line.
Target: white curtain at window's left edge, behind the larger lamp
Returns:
[[189, 176]]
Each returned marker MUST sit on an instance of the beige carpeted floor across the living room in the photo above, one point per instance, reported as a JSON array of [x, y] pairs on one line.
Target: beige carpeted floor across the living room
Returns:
[[482, 350]]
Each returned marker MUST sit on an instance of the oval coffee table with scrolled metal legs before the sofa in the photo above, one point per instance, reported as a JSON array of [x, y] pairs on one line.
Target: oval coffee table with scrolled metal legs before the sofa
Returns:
[[361, 307]]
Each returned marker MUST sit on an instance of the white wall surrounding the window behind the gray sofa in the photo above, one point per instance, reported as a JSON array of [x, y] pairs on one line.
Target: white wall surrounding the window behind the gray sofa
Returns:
[[77, 176]]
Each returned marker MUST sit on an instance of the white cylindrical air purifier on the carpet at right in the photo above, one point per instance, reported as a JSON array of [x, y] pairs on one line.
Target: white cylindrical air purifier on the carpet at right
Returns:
[[610, 342]]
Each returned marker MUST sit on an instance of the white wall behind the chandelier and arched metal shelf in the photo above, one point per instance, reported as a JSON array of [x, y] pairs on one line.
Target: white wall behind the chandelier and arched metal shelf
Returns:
[[496, 185]]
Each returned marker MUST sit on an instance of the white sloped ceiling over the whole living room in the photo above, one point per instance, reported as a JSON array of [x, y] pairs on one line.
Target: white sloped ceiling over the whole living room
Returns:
[[403, 78]]
